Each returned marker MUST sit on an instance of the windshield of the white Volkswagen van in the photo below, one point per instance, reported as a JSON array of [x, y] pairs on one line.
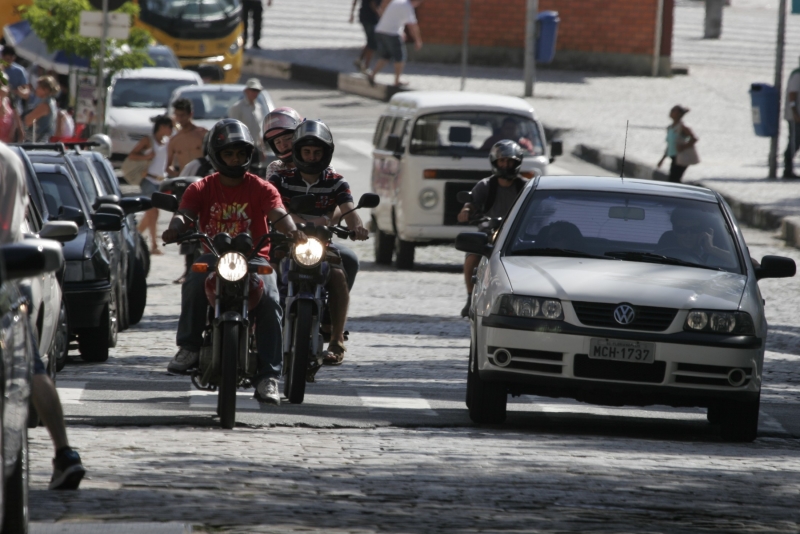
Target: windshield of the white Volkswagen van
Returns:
[[472, 134]]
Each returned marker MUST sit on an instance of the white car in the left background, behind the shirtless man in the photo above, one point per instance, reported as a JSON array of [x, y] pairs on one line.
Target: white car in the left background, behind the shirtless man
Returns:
[[135, 96]]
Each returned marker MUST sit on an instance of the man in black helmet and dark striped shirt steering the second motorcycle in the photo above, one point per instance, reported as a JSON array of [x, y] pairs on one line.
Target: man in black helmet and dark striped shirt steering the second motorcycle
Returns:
[[312, 151]]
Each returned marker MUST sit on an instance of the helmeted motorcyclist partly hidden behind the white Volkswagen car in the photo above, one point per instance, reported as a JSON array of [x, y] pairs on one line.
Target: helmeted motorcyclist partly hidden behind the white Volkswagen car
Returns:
[[492, 197]]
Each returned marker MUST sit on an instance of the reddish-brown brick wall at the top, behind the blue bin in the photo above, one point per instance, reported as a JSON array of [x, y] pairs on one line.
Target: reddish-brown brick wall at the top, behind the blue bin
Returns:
[[587, 26]]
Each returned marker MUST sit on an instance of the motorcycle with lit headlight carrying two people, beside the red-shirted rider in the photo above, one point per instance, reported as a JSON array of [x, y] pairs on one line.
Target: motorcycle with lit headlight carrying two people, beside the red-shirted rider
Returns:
[[304, 271]]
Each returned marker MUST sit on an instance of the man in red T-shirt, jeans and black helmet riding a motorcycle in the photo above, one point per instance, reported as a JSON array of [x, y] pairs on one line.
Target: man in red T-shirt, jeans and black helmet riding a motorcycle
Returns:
[[232, 200]]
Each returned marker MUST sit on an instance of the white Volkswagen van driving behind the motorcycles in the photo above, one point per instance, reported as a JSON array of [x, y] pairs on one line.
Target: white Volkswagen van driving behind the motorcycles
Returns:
[[428, 146]]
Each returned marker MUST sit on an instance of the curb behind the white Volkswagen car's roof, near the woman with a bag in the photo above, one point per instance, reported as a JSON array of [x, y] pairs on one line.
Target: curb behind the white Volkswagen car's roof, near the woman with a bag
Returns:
[[747, 212]]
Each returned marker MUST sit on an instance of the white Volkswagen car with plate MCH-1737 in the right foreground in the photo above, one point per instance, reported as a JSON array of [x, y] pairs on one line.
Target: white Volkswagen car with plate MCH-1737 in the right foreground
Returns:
[[619, 292]]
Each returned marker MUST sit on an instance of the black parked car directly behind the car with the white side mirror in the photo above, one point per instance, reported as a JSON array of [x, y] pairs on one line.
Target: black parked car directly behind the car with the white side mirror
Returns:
[[89, 284]]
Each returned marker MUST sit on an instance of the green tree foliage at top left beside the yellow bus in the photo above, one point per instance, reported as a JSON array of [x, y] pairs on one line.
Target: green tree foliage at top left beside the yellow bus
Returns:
[[57, 23]]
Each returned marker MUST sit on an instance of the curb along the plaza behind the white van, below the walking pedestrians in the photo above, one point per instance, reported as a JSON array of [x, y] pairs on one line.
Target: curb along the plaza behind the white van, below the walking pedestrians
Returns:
[[349, 83]]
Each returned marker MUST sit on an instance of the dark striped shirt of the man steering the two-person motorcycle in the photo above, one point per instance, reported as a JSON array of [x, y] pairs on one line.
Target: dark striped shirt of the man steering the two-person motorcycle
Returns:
[[330, 189]]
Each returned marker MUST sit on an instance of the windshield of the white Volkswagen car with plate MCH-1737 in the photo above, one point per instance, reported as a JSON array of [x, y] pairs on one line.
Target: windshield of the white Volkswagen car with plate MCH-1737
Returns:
[[622, 226]]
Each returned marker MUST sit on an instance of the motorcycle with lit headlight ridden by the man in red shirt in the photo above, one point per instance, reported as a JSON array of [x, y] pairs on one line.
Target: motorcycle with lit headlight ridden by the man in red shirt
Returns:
[[228, 357]]
